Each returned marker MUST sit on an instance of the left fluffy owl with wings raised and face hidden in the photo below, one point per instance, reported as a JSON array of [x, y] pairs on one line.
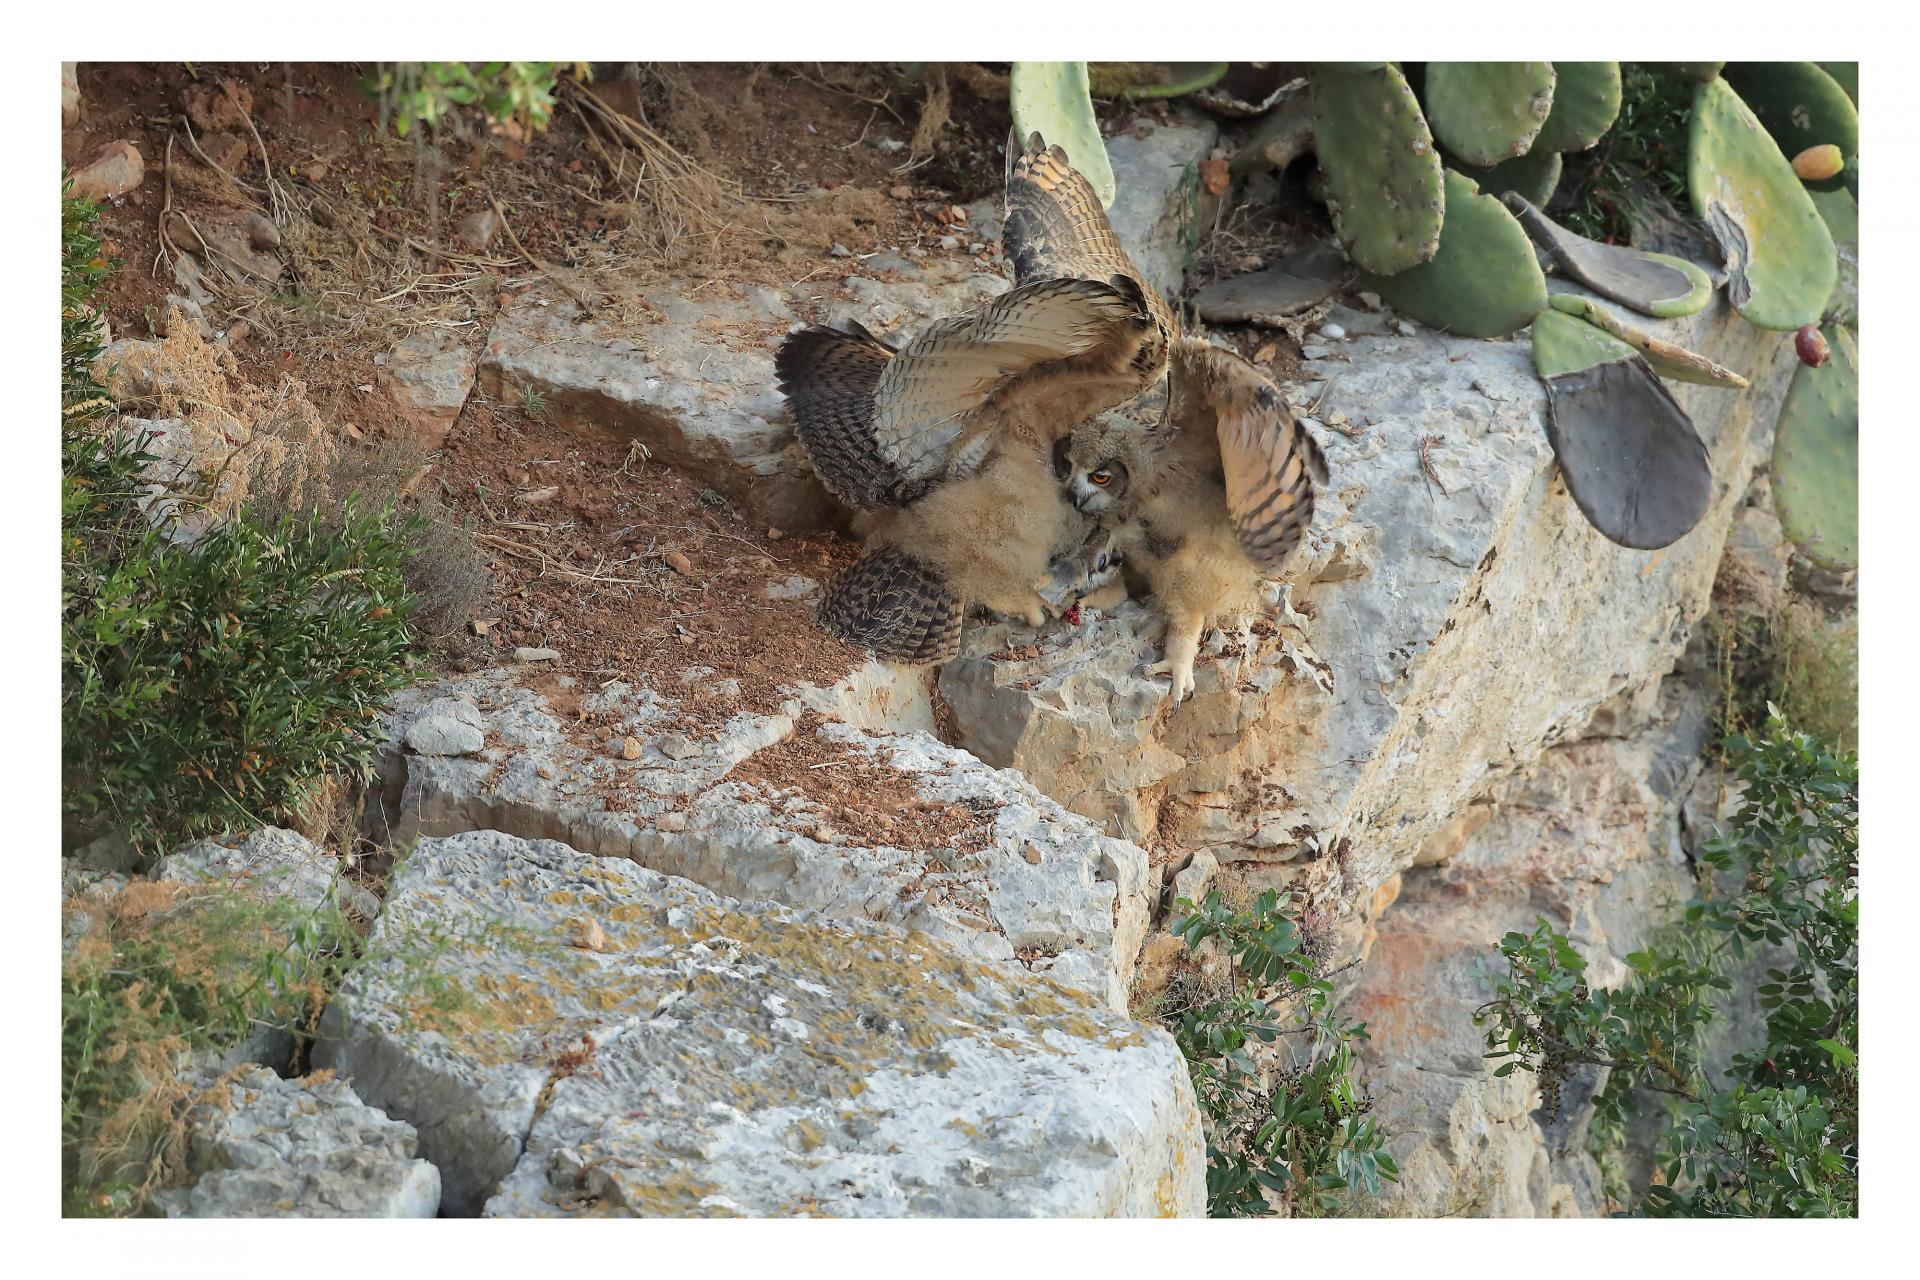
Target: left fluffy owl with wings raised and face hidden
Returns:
[[948, 444]]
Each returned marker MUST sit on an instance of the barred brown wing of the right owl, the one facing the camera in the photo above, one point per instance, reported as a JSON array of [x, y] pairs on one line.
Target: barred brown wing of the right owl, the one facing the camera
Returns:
[[1268, 460]]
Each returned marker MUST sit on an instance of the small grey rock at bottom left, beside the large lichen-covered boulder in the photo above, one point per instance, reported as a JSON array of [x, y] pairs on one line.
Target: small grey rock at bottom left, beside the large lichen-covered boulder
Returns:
[[268, 1149]]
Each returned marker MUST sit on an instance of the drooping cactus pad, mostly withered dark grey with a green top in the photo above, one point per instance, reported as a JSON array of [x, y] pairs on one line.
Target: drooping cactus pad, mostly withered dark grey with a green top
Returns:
[[1633, 462]]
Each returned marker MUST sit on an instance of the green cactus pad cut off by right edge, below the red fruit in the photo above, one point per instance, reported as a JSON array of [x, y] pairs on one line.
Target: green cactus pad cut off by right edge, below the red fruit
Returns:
[[1817, 458]]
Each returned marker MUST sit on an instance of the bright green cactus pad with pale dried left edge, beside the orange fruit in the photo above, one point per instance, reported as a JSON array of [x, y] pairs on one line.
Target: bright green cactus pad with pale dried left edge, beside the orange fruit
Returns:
[[1781, 264]]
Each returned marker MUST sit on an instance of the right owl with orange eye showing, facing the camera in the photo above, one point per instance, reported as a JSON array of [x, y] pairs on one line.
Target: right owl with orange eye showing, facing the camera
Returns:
[[1203, 500]]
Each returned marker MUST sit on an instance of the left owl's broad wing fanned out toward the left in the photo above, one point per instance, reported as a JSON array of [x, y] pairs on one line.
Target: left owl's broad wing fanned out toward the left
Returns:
[[884, 425]]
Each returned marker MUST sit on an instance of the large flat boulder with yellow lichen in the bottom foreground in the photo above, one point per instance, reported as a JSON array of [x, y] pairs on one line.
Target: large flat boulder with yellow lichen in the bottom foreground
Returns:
[[579, 1035]]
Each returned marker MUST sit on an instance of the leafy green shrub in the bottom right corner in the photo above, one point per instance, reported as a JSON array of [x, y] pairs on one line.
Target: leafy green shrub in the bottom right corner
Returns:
[[1777, 1133]]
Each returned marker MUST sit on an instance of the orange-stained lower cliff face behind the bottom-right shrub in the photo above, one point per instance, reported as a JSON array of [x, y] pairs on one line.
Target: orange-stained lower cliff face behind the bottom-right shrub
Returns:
[[1591, 840]]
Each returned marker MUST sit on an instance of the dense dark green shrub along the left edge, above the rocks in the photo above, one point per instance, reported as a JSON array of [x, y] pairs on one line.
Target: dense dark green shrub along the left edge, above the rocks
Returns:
[[216, 684]]
